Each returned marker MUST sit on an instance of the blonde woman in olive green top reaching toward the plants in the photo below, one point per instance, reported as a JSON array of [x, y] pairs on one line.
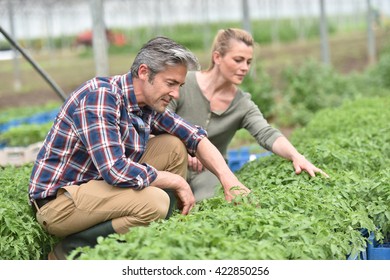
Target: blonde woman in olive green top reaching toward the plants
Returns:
[[213, 100]]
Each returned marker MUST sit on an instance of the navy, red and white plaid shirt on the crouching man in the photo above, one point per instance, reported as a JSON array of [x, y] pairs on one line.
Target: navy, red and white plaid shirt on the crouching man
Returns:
[[100, 133]]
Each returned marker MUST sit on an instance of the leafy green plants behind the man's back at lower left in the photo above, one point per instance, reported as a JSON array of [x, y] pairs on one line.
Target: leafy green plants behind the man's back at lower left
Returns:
[[21, 237]]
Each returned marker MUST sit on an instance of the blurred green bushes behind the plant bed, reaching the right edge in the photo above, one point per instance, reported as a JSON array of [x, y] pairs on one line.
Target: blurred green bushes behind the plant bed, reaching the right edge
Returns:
[[315, 86]]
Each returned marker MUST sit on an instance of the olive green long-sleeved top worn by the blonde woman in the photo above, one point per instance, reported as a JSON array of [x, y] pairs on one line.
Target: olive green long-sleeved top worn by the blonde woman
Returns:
[[221, 126]]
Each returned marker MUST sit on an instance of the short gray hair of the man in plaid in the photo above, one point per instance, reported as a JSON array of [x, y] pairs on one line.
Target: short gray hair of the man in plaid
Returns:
[[160, 52]]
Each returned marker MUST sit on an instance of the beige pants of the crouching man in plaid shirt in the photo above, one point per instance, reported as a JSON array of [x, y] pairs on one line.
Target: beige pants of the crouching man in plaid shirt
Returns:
[[79, 207]]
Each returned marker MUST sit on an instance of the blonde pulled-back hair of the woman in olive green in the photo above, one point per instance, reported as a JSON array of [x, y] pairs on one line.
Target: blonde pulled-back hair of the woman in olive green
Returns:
[[222, 40]]
